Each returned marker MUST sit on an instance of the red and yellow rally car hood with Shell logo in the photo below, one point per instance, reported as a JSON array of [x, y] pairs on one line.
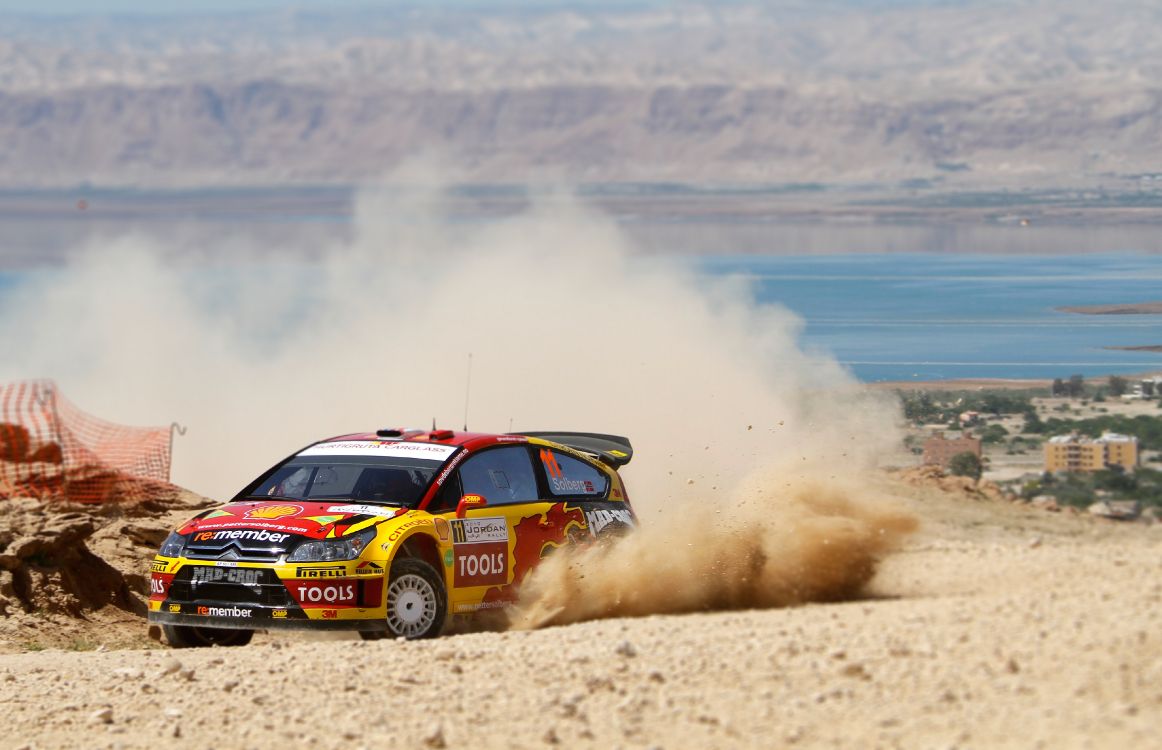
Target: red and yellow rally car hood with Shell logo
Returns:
[[314, 520]]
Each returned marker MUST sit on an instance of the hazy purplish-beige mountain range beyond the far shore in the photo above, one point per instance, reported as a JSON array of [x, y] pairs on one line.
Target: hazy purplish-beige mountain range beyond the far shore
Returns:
[[958, 95]]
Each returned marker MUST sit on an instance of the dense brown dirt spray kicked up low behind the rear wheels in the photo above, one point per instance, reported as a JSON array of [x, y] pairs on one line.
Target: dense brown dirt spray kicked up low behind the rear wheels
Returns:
[[781, 540]]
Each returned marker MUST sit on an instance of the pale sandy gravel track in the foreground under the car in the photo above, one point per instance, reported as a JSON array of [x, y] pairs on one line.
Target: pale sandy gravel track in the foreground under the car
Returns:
[[998, 626]]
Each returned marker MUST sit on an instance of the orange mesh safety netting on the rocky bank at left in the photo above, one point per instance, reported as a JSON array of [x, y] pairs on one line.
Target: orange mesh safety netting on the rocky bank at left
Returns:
[[52, 449]]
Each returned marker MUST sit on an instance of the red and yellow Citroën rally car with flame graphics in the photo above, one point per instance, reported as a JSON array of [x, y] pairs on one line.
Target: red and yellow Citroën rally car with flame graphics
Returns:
[[389, 533]]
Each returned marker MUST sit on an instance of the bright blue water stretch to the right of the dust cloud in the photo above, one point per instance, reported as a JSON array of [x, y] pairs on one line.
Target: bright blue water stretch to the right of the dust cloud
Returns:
[[907, 317]]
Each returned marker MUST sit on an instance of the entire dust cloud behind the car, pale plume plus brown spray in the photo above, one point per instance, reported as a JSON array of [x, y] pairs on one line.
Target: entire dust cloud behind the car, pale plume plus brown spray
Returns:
[[568, 328]]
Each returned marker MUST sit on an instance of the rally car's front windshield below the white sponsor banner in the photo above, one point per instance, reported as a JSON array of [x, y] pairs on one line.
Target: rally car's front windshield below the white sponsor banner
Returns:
[[368, 480]]
